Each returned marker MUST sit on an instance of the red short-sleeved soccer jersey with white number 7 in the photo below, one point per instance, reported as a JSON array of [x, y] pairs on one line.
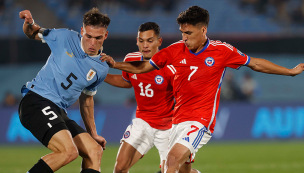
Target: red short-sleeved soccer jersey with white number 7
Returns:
[[198, 78]]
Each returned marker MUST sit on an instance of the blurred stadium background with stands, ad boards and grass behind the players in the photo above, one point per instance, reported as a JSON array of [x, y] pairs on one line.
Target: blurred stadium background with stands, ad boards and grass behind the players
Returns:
[[260, 125]]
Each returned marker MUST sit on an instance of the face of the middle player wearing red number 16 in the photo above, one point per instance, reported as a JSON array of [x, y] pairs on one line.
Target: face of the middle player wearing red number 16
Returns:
[[148, 43]]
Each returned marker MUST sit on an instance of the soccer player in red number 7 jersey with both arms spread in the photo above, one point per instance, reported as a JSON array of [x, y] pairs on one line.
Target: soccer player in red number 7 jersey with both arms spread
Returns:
[[200, 65]]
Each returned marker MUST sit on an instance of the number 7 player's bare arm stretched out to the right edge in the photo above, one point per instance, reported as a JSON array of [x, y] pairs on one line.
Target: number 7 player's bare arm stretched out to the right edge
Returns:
[[265, 66]]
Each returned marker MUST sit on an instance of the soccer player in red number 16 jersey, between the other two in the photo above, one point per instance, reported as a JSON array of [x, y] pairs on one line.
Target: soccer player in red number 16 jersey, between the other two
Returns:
[[154, 96]]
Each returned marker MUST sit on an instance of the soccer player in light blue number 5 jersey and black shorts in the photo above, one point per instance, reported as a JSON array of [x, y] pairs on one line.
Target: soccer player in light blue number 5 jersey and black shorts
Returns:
[[72, 71]]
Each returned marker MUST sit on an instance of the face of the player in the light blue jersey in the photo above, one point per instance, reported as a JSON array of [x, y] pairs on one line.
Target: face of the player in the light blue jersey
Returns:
[[93, 38]]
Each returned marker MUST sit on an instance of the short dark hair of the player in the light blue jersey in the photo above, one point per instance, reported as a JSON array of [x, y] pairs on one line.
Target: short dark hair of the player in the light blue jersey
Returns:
[[94, 18]]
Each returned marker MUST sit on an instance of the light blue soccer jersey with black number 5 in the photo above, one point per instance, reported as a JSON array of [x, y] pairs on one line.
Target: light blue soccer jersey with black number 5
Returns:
[[68, 70]]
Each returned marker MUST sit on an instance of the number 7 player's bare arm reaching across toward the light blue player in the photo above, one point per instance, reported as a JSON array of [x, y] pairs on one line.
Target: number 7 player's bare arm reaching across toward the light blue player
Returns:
[[135, 67]]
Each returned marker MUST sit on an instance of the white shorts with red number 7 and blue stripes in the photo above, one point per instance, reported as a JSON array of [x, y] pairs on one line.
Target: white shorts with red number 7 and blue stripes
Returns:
[[191, 134]]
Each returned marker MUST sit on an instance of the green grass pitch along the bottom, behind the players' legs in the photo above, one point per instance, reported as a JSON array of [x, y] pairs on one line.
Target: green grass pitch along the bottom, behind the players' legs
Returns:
[[249, 157]]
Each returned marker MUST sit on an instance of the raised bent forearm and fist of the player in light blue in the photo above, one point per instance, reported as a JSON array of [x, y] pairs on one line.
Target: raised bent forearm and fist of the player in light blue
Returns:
[[30, 28]]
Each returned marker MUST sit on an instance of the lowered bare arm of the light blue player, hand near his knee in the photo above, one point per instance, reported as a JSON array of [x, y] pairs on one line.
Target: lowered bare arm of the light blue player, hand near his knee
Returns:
[[86, 105]]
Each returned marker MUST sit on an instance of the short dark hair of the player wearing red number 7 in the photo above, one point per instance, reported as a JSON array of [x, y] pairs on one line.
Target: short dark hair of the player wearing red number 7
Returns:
[[194, 15]]
